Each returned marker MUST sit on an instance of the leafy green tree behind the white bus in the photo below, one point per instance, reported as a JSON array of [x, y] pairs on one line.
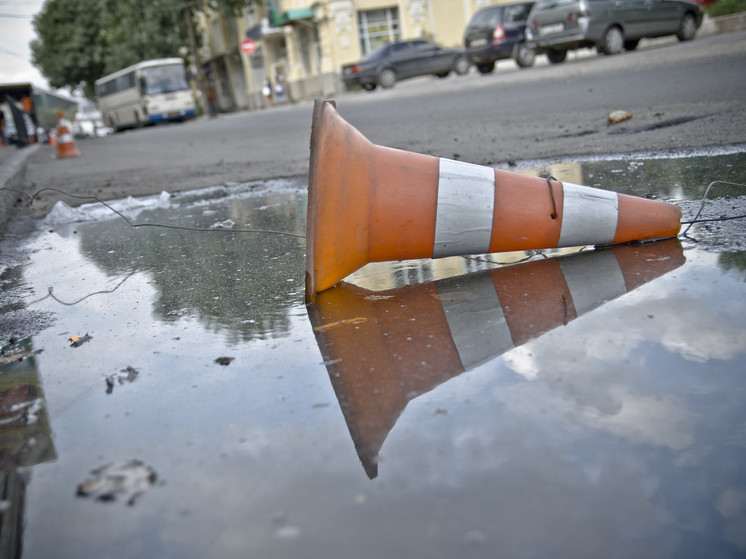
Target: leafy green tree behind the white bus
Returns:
[[80, 41]]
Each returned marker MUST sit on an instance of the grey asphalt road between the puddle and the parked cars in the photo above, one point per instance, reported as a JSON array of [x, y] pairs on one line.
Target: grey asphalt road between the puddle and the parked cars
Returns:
[[681, 95]]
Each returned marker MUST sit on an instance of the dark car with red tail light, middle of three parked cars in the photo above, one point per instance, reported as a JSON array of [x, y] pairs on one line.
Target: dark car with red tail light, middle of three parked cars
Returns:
[[496, 33]]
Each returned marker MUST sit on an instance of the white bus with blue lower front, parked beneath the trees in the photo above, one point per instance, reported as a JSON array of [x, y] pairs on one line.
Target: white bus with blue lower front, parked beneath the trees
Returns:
[[145, 93]]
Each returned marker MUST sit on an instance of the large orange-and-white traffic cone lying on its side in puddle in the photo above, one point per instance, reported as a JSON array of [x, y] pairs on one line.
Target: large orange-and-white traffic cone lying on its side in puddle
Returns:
[[368, 203]]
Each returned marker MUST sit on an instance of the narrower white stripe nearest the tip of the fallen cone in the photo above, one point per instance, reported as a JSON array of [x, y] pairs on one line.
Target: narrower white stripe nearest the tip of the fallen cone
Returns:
[[589, 216]]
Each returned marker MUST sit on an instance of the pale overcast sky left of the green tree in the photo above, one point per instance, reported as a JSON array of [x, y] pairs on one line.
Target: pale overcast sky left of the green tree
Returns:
[[16, 31]]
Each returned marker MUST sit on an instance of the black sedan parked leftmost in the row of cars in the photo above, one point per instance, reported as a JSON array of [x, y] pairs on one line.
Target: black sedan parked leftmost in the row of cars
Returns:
[[390, 63]]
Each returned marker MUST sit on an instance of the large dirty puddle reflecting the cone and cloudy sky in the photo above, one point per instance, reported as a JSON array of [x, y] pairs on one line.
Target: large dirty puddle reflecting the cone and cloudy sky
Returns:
[[166, 393]]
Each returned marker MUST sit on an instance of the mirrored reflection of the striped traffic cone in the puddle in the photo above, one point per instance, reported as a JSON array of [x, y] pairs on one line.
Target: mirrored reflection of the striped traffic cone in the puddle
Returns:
[[382, 349]]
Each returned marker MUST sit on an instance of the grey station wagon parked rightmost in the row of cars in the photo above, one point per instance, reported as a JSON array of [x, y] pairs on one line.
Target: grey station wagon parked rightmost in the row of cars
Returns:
[[555, 26]]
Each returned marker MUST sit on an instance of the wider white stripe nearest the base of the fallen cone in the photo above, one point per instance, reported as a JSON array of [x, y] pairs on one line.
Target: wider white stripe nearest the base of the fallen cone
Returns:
[[466, 201]]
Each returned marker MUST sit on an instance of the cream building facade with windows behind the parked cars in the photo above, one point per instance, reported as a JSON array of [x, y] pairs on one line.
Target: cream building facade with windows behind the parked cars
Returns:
[[303, 44]]
